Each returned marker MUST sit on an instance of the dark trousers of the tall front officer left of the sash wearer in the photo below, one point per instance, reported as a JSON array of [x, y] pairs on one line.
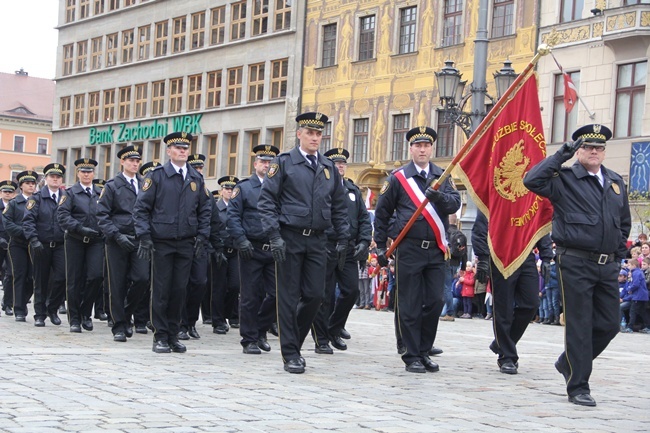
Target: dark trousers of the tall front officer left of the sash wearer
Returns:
[[300, 285]]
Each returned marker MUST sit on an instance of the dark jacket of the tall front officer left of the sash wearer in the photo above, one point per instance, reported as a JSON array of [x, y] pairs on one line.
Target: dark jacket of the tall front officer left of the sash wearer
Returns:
[[293, 196]]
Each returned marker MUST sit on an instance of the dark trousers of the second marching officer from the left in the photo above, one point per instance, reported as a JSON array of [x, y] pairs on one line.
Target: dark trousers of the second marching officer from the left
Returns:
[[21, 269]]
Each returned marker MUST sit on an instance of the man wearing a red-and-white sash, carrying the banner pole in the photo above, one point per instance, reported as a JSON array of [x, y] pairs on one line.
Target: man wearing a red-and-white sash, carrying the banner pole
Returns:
[[421, 258]]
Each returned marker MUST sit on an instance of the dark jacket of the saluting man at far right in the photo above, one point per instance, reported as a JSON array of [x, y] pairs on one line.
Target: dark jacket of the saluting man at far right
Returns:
[[586, 216]]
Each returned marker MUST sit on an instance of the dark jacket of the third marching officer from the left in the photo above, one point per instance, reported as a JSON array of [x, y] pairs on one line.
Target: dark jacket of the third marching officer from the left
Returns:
[[40, 220]]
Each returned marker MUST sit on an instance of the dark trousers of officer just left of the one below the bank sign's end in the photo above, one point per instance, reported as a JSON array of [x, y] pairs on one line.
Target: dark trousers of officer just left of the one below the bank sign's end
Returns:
[[128, 280]]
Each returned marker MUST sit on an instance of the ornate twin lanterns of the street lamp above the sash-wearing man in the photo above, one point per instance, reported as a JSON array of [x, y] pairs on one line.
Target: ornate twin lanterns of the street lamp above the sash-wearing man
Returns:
[[452, 99]]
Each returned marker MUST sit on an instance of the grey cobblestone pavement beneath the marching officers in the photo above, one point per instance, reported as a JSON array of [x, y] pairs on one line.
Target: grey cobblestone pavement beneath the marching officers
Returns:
[[52, 380]]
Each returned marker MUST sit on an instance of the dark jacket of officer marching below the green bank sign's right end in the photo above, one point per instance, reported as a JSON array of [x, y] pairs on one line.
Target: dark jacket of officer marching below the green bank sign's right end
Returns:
[[168, 208]]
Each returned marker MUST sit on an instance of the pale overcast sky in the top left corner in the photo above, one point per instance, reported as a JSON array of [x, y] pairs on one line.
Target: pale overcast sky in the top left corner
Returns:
[[27, 36]]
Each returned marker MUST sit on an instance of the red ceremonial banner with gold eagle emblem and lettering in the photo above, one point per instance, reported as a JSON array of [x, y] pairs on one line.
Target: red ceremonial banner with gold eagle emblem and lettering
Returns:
[[493, 170]]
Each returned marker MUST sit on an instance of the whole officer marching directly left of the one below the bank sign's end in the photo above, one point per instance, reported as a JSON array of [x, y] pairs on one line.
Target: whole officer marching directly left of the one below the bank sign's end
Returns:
[[128, 275]]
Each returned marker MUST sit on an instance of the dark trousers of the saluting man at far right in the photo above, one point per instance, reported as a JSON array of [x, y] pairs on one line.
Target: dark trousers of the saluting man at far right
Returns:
[[590, 297]]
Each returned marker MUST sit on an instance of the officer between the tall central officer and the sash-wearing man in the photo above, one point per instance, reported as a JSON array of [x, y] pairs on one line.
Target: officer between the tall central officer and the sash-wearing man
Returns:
[[333, 313]]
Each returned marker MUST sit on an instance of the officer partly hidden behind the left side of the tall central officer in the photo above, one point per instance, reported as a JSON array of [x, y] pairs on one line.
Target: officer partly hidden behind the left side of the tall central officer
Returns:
[[257, 269]]
